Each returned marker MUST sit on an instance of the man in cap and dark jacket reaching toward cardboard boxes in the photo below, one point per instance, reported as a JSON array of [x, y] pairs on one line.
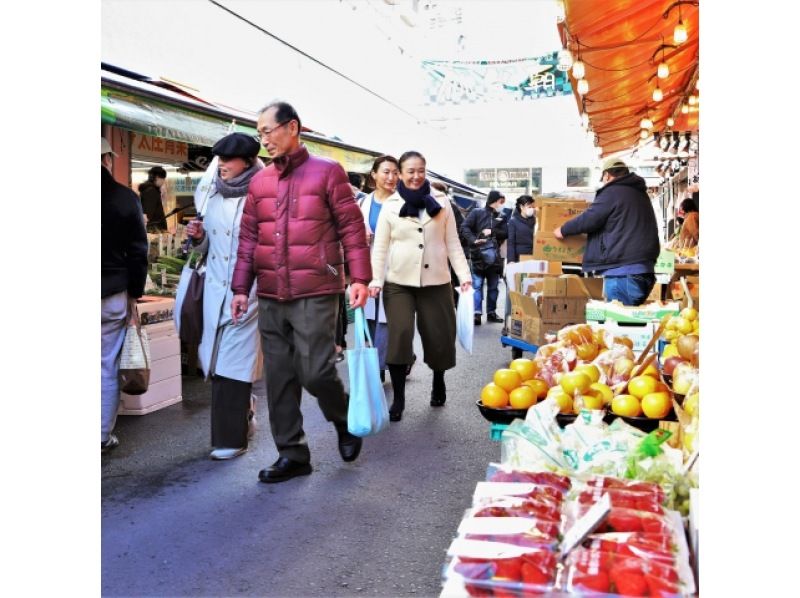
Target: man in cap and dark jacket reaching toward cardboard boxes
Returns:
[[623, 242]]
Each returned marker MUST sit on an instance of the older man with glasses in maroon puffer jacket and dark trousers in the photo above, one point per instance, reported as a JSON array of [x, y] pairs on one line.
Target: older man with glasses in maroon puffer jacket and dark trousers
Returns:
[[300, 223]]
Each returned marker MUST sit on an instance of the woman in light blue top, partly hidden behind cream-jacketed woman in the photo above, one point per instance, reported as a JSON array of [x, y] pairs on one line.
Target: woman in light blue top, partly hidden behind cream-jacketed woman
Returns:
[[384, 174]]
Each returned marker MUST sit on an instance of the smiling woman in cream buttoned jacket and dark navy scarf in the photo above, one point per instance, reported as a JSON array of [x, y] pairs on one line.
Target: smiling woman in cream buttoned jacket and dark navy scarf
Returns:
[[415, 238]]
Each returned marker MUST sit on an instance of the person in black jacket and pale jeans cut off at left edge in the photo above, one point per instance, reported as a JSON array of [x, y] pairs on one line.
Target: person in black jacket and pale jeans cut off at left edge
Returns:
[[123, 271]]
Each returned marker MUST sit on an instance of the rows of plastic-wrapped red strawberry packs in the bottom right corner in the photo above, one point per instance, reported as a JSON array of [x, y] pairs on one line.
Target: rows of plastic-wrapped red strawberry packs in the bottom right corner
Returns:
[[524, 536]]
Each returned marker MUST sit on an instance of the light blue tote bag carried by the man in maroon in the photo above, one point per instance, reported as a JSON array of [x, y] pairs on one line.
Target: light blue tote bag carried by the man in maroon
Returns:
[[368, 412]]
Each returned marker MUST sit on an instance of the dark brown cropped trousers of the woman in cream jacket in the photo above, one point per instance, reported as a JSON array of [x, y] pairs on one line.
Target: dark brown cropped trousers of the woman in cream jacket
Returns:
[[436, 322]]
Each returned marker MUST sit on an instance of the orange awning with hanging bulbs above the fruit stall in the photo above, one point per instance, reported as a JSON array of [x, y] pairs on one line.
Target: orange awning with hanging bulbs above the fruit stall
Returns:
[[621, 43]]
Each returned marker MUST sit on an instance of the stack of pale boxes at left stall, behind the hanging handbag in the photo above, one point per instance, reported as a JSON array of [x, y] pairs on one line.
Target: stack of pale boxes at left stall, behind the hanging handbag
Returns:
[[155, 314]]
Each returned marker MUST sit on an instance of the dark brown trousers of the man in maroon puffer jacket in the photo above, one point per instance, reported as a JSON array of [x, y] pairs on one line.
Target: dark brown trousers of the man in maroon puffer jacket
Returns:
[[297, 340]]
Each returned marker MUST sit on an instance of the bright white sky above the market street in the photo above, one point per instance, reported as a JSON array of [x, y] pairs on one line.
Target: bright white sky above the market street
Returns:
[[369, 41]]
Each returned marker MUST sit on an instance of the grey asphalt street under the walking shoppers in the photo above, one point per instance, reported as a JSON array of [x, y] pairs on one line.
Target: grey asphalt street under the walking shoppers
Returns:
[[175, 523]]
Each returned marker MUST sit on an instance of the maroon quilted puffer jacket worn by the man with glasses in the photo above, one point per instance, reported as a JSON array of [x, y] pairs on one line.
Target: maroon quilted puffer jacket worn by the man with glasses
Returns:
[[298, 217]]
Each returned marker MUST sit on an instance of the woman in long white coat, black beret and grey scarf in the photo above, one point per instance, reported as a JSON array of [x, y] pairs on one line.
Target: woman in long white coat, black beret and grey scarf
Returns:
[[228, 353]]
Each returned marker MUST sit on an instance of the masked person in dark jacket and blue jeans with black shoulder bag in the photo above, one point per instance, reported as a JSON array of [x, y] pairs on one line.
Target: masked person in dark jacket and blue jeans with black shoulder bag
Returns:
[[484, 230]]
